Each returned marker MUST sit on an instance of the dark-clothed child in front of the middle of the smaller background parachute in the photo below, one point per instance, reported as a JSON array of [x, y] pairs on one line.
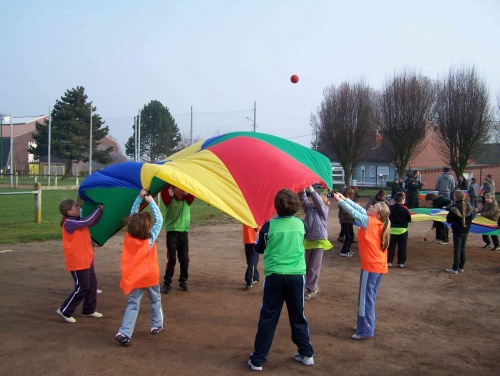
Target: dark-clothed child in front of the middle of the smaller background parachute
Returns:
[[460, 216]]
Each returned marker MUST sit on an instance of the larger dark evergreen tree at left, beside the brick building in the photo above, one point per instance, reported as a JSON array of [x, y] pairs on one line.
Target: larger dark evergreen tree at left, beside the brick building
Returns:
[[70, 131]]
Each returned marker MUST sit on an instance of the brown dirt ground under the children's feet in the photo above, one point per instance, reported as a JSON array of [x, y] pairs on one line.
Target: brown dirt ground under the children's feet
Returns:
[[428, 322]]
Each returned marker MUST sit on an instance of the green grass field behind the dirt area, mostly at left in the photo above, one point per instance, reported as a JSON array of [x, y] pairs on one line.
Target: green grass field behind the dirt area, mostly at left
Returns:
[[17, 212]]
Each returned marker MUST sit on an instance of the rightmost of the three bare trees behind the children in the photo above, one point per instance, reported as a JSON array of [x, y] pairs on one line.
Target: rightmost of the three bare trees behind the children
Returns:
[[463, 115]]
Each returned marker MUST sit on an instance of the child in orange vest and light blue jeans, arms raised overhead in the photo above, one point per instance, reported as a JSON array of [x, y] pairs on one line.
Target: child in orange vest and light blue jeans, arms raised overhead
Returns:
[[140, 270]]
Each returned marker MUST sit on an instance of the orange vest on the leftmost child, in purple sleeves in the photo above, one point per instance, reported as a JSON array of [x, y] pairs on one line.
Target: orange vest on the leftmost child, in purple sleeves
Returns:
[[78, 250]]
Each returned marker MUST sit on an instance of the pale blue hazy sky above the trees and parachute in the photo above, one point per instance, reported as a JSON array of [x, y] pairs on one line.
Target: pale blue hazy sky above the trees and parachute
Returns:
[[218, 58]]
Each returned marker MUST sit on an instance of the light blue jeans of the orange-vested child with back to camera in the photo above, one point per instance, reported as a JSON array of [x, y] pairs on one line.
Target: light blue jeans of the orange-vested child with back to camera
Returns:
[[132, 310]]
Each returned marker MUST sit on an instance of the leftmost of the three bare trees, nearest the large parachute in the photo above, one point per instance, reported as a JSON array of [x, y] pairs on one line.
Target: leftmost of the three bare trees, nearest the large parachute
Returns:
[[346, 122]]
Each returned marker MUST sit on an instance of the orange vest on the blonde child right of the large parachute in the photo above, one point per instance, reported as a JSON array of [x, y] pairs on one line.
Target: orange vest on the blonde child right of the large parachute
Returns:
[[373, 259]]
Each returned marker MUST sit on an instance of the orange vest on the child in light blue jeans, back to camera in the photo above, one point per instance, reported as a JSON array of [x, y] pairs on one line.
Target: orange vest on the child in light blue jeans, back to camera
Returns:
[[139, 264]]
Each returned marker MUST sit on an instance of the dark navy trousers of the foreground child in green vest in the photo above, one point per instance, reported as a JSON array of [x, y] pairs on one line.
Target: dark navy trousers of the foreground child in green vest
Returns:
[[276, 290]]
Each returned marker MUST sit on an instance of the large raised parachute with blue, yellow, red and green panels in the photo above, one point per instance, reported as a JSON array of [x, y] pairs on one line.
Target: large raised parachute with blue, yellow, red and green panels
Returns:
[[238, 173]]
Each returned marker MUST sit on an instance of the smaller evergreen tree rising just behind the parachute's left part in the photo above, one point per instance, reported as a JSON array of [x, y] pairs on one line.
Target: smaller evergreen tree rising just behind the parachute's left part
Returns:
[[159, 134]]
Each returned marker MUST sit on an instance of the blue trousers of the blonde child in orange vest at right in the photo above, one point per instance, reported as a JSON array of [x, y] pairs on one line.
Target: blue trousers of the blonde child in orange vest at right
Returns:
[[368, 289]]
